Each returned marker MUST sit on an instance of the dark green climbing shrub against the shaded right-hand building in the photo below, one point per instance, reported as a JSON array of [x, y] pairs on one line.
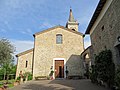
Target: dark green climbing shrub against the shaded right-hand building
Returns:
[[104, 68]]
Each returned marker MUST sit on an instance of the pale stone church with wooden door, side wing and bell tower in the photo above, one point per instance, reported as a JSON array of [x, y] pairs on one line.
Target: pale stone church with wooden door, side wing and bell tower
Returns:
[[57, 48]]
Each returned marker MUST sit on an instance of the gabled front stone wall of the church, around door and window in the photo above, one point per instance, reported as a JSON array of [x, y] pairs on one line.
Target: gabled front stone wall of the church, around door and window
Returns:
[[46, 50]]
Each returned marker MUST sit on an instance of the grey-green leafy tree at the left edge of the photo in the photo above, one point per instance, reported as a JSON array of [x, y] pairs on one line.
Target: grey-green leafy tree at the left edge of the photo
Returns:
[[6, 58]]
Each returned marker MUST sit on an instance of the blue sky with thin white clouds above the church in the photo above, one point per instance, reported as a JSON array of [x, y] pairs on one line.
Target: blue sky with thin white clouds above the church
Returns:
[[20, 19]]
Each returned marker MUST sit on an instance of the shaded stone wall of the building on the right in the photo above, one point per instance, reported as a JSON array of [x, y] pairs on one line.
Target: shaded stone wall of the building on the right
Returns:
[[106, 33]]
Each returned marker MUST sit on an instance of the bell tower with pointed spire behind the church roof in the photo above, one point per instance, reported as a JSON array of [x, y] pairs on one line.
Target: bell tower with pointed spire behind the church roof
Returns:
[[72, 24]]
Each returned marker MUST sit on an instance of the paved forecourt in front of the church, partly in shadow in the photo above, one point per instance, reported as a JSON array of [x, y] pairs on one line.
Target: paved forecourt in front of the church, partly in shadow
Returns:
[[59, 85]]
